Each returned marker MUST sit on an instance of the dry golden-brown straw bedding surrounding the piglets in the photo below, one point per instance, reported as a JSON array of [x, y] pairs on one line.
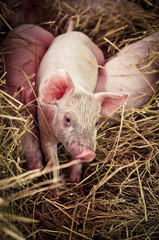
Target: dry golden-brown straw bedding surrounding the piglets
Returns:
[[118, 197]]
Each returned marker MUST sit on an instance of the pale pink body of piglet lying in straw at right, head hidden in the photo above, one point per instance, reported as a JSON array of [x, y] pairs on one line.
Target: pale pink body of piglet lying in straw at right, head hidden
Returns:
[[122, 74]]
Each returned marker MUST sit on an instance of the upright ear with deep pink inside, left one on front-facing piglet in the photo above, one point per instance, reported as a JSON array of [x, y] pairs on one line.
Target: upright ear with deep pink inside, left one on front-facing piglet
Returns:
[[54, 88]]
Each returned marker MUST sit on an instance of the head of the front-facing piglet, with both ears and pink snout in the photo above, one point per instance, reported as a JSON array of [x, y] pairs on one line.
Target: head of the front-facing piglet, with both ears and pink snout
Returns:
[[73, 113]]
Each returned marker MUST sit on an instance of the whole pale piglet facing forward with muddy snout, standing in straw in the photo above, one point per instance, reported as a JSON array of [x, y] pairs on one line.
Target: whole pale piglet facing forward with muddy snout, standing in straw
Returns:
[[69, 110]]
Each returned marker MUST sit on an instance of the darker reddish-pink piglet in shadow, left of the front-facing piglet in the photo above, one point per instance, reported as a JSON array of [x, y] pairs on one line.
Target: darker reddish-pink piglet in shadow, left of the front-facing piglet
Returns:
[[25, 47]]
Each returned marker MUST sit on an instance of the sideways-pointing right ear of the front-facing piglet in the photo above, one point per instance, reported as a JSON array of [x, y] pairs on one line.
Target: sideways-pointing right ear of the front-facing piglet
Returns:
[[110, 102]]
